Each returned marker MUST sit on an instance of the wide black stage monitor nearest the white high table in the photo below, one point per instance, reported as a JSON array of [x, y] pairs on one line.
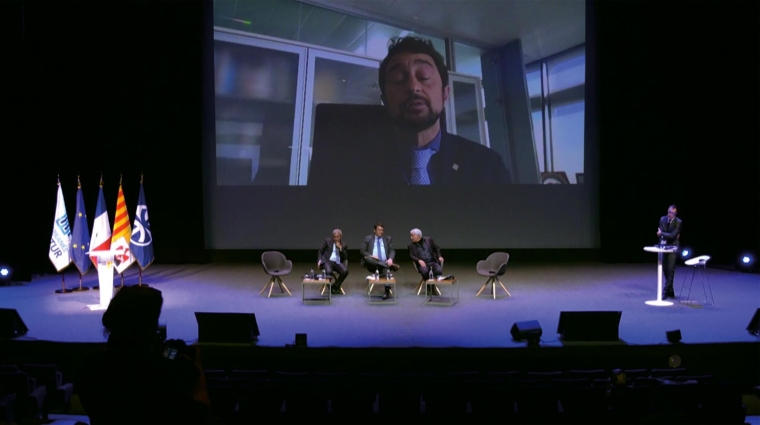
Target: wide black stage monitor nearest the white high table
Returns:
[[589, 325]]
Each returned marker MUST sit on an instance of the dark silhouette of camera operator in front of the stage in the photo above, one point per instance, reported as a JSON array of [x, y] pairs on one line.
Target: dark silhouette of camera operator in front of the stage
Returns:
[[138, 378]]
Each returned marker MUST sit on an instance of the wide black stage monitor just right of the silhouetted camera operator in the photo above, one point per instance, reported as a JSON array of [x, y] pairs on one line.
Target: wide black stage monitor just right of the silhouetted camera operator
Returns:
[[237, 328]]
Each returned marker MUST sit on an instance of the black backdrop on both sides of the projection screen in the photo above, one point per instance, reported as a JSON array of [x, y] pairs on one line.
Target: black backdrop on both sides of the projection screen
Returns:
[[118, 88]]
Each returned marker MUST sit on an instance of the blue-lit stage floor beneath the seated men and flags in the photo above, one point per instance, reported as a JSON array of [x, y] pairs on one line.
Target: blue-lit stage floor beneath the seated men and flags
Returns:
[[539, 292]]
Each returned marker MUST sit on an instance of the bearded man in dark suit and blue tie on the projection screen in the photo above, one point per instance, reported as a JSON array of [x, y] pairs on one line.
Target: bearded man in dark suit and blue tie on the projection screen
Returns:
[[414, 85]]
